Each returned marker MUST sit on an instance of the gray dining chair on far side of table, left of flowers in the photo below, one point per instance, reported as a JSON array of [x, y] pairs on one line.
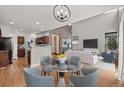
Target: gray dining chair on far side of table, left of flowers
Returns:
[[47, 65]]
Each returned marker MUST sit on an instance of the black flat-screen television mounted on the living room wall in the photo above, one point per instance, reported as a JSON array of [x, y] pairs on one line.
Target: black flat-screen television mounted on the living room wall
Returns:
[[90, 43]]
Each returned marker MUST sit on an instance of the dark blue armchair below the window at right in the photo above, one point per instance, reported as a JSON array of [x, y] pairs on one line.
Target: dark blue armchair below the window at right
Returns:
[[108, 57]]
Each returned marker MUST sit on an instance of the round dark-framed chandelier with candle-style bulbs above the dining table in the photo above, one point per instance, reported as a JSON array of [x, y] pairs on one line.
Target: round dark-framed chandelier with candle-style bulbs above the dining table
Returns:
[[61, 13]]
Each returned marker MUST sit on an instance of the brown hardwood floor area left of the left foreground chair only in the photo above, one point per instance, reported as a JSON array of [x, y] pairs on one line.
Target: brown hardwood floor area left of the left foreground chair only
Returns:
[[12, 76]]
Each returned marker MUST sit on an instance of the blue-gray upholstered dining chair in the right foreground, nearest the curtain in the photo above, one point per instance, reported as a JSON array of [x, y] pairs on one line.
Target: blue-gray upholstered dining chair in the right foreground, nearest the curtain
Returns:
[[88, 79]]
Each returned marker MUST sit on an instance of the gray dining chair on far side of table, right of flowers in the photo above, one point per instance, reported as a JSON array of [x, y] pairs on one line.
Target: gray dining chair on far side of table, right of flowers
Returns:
[[74, 64]]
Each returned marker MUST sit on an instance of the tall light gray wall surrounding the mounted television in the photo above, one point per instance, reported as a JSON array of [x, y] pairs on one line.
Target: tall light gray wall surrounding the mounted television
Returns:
[[96, 27]]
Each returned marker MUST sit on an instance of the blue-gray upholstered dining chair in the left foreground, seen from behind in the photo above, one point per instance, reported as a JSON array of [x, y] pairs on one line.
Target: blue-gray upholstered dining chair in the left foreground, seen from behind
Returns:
[[33, 78]]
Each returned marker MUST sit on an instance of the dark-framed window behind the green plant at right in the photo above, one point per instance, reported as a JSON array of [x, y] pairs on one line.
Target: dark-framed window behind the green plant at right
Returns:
[[108, 36]]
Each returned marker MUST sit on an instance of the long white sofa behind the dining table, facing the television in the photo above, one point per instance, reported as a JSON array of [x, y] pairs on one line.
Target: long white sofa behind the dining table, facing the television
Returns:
[[85, 56]]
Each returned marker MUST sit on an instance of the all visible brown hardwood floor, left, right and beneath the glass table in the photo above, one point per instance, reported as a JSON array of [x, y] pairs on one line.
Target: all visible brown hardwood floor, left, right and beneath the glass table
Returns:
[[12, 76]]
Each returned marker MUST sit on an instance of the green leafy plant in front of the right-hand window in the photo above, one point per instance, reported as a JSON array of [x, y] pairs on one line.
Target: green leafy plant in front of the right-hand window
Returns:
[[112, 44]]
